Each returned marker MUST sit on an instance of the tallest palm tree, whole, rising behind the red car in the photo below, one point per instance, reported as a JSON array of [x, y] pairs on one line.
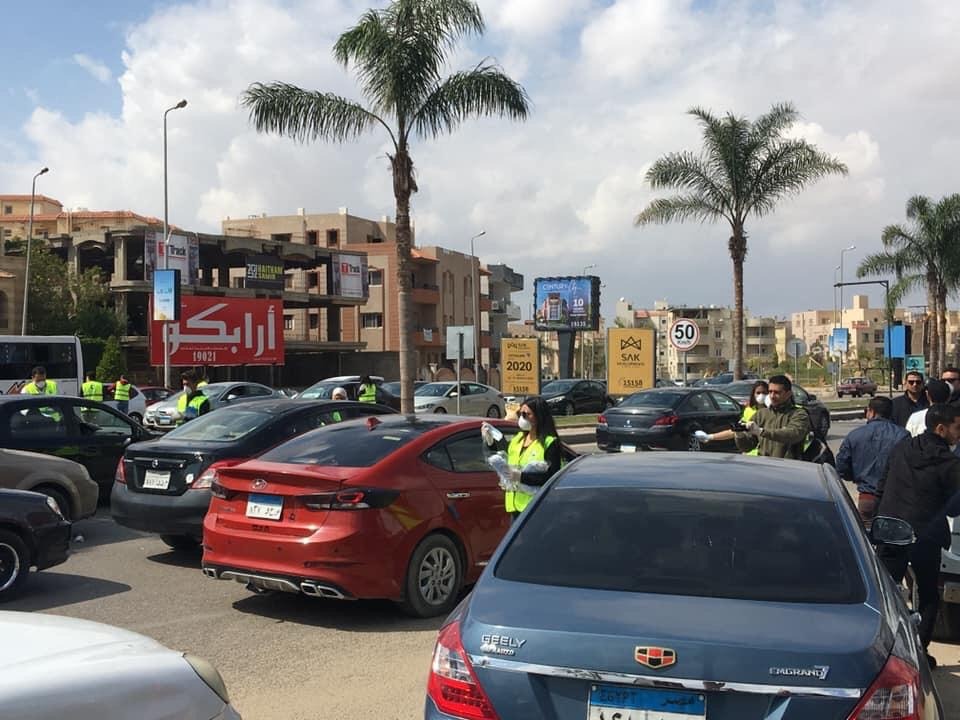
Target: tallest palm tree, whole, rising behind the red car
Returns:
[[398, 54]]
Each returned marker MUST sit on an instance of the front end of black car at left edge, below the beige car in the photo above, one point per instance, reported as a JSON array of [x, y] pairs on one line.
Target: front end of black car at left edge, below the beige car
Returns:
[[33, 533]]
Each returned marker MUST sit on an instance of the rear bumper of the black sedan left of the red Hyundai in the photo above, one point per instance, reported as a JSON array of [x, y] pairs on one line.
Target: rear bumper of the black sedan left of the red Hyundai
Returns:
[[162, 514]]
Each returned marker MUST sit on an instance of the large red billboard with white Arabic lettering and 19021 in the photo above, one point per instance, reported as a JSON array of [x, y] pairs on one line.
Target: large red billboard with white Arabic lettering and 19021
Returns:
[[222, 331]]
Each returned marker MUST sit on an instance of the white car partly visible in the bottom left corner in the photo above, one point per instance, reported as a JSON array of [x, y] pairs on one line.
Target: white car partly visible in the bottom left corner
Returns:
[[58, 667]]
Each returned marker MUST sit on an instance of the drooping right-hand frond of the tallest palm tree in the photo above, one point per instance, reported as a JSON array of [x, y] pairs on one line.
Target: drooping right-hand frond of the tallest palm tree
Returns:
[[484, 91]]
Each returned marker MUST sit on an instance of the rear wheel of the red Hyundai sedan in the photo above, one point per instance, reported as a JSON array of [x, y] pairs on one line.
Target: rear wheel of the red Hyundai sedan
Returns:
[[434, 578]]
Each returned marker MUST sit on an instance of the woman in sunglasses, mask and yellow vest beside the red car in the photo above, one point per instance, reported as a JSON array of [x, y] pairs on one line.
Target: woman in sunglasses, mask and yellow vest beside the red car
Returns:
[[537, 444]]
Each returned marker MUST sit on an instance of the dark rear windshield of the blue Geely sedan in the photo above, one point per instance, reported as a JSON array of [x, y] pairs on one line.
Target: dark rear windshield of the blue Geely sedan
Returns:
[[708, 544]]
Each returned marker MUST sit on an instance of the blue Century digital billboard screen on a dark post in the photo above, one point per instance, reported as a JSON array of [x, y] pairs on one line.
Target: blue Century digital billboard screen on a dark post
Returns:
[[567, 303]]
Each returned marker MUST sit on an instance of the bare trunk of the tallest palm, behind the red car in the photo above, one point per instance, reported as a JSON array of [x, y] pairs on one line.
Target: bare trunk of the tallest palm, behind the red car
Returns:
[[403, 186]]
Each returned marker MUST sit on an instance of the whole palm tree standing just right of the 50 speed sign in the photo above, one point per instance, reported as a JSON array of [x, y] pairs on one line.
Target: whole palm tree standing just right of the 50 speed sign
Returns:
[[744, 168]]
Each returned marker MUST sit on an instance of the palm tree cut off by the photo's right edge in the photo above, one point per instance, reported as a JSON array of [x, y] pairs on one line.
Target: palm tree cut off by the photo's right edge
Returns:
[[925, 254]]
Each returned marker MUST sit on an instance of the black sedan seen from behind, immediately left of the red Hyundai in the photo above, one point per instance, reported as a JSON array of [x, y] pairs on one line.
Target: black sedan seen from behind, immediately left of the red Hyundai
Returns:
[[164, 487]]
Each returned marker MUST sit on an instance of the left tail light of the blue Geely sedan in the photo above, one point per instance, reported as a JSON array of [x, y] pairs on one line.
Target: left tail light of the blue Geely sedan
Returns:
[[453, 686]]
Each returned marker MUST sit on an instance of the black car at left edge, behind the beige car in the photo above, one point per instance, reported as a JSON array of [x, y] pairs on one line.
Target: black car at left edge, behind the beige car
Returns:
[[89, 432]]
